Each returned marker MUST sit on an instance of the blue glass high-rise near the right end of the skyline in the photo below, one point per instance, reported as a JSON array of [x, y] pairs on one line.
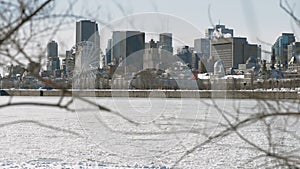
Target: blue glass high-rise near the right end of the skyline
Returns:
[[280, 49]]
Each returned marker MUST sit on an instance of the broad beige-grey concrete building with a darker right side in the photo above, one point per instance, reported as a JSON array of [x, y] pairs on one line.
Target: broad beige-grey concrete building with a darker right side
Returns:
[[233, 51]]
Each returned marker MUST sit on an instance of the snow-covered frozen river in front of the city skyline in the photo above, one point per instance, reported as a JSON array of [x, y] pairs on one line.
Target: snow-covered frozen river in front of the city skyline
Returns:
[[144, 132]]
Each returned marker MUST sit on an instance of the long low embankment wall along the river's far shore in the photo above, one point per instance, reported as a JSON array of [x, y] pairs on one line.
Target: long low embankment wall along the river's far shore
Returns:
[[230, 94]]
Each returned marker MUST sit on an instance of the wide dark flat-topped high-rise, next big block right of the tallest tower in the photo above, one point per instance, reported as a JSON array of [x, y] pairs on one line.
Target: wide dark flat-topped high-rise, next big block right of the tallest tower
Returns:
[[128, 43]]
